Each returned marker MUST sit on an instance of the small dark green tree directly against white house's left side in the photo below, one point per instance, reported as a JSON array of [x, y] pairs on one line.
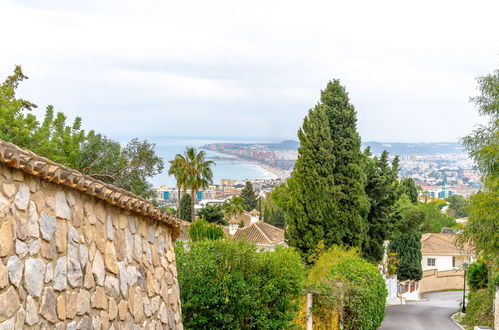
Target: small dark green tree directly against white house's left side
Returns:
[[408, 249]]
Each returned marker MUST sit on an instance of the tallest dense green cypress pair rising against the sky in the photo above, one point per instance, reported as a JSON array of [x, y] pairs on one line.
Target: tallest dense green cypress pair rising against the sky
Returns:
[[325, 193]]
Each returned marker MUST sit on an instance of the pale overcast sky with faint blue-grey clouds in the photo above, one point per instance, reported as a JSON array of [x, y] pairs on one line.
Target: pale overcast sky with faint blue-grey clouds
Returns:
[[252, 69]]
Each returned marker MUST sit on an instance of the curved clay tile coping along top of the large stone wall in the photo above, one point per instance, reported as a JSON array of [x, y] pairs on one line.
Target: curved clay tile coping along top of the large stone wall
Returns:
[[44, 168]]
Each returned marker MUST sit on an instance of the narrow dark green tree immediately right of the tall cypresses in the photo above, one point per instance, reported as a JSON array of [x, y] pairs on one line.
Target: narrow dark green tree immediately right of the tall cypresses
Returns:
[[382, 188]]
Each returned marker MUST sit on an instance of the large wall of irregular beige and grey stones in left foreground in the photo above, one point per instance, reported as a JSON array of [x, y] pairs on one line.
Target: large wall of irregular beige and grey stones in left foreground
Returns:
[[72, 261]]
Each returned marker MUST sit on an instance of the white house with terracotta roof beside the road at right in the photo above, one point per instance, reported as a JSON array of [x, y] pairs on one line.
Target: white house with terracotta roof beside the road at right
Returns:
[[441, 252]]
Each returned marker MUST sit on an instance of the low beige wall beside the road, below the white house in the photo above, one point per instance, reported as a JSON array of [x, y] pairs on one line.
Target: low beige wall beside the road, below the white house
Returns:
[[434, 280]]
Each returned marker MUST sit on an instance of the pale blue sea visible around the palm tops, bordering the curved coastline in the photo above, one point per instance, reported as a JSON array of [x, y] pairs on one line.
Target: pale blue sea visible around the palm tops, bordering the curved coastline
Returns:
[[234, 169]]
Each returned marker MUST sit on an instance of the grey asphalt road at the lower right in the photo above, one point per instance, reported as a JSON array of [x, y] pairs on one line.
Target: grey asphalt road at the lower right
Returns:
[[432, 314]]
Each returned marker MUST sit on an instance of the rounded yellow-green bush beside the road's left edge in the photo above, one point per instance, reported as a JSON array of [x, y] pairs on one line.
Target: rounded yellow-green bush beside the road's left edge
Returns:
[[353, 287]]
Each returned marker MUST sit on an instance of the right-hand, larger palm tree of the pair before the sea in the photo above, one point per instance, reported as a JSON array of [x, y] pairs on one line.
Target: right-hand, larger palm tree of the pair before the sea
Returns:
[[199, 174]]
